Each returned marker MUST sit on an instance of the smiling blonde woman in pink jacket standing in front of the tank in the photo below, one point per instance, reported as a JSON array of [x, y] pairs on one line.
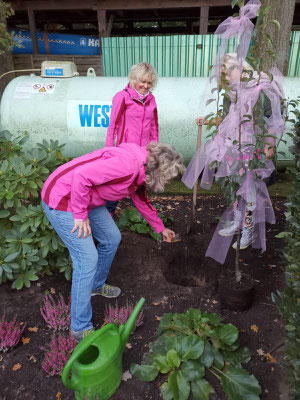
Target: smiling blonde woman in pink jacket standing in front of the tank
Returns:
[[133, 116]]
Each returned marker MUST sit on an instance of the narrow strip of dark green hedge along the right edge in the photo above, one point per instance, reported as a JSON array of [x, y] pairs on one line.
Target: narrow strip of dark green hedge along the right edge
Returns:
[[288, 302]]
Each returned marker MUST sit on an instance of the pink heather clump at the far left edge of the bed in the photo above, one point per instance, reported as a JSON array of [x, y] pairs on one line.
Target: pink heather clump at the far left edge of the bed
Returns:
[[10, 333]]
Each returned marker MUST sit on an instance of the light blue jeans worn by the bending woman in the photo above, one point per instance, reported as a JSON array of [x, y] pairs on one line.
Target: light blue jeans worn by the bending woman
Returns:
[[91, 264]]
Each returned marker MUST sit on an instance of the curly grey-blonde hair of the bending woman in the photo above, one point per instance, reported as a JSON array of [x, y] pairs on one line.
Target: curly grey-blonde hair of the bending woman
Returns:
[[164, 163]]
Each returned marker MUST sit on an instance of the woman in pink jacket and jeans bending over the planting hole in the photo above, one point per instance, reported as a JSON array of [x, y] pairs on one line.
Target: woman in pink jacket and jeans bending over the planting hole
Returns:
[[74, 198]]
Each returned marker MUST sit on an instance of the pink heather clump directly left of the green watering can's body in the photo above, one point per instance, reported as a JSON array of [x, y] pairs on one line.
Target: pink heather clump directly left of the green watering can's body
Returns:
[[57, 353]]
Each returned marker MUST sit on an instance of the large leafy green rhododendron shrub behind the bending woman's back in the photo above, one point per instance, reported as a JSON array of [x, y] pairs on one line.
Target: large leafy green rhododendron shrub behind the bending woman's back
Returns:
[[29, 244]]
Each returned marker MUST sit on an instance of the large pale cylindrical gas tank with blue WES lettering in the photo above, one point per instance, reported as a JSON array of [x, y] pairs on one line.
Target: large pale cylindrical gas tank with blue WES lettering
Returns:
[[76, 110]]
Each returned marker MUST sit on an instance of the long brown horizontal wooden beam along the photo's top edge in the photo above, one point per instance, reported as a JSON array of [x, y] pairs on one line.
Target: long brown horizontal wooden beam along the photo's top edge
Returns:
[[114, 5]]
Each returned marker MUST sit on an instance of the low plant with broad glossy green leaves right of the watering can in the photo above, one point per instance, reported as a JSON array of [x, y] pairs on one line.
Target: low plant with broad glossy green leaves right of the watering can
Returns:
[[186, 346]]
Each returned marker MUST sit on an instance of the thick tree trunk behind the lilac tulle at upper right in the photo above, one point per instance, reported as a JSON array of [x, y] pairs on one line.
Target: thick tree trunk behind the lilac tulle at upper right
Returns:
[[283, 12]]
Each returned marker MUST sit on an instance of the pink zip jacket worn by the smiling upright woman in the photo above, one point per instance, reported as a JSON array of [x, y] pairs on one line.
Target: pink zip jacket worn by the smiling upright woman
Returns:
[[132, 120]]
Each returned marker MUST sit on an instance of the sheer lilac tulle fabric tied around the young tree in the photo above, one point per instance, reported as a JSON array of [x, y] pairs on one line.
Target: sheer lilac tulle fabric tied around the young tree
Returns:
[[221, 156]]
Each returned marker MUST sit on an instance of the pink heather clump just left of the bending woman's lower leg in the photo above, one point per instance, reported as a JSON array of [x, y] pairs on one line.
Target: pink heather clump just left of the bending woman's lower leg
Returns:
[[57, 316]]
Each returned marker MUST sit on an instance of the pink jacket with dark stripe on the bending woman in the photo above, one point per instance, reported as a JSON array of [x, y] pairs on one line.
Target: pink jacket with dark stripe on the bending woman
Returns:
[[111, 173]]
